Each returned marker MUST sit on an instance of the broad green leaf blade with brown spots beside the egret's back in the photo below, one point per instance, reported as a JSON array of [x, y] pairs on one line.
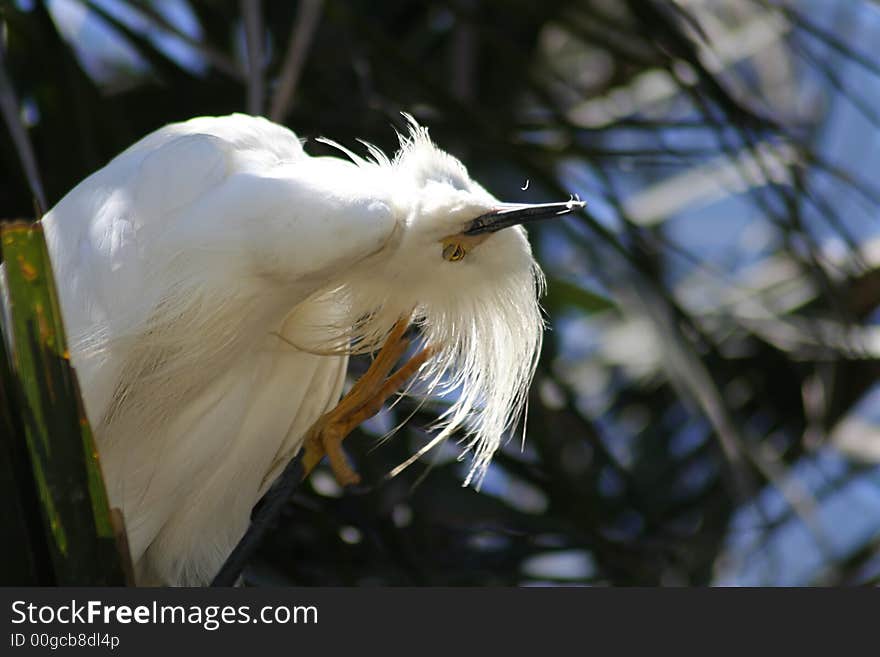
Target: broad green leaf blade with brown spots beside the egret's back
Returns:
[[72, 498]]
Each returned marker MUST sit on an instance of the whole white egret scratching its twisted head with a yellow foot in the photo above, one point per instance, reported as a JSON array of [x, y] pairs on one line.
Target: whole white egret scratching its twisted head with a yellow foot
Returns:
[[213, 279]]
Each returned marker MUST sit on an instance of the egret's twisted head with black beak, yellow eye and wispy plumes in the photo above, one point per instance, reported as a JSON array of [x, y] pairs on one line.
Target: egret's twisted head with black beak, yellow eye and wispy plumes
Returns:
[[461, 264]]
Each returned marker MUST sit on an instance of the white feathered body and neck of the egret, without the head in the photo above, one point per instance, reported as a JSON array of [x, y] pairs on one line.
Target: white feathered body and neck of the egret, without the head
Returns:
[[176, 264]]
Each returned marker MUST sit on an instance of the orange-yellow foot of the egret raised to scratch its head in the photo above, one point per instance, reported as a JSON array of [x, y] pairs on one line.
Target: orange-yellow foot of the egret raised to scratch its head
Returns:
[[362, 402]]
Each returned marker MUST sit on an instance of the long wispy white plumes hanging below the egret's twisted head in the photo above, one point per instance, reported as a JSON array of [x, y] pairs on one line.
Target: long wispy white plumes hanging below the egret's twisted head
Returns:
[[487, 342]]
